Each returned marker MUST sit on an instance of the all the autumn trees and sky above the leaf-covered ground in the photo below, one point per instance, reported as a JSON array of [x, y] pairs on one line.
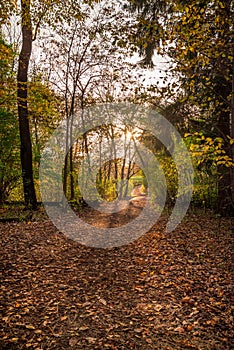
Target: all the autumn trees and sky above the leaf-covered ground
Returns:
[[72, 56]]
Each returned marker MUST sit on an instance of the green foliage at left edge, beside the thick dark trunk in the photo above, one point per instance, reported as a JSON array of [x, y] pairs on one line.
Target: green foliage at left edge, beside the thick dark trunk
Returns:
[[9, 133]]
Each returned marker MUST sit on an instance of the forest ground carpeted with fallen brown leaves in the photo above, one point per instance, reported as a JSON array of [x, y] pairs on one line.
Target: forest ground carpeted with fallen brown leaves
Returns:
[[163, 291]]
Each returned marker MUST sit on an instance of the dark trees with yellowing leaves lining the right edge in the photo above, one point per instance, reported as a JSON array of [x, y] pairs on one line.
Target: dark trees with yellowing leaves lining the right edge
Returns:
[[198, 37]]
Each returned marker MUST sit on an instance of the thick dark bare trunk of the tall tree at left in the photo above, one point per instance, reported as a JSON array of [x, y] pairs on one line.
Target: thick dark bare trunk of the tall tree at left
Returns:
[[22, 100]]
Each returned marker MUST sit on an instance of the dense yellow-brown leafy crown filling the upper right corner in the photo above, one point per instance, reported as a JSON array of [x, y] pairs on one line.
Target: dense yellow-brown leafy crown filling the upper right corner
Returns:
[[201, 36]]
